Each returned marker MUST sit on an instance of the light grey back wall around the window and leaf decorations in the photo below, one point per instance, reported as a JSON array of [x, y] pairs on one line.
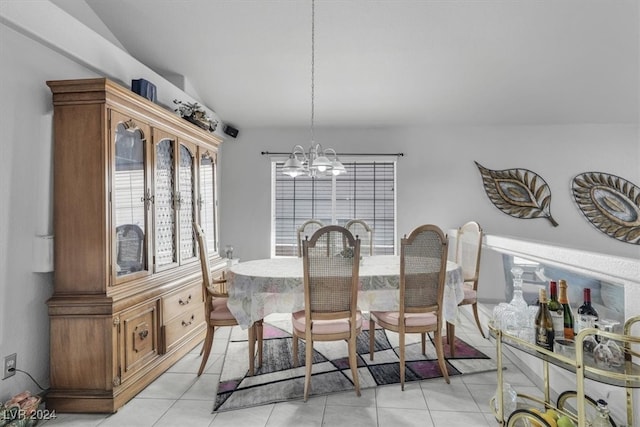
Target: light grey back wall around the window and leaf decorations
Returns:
[[438, 181]]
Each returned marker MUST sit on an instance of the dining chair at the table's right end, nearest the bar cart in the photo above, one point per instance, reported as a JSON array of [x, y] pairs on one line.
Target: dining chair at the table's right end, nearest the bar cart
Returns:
[[467, 256]]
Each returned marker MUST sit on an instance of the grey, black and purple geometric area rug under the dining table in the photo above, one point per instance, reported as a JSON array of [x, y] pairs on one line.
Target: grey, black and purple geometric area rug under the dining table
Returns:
[[277, 380]]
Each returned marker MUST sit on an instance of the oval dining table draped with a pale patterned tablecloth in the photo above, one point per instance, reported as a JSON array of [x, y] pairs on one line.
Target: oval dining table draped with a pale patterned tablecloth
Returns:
[[261, 287]]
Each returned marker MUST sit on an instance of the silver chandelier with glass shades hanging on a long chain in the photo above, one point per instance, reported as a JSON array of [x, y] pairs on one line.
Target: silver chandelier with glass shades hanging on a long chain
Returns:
[[317, 161]]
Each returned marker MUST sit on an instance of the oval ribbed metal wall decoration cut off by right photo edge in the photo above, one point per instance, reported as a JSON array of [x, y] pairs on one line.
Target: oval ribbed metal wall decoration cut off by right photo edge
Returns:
[[610, 203]]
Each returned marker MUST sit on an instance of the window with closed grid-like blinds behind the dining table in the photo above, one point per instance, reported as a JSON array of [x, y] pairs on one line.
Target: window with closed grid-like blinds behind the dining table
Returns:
[[366, 191]]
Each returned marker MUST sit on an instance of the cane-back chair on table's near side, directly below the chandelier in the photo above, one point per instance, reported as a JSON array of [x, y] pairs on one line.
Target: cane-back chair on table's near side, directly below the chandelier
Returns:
[[330, 297]]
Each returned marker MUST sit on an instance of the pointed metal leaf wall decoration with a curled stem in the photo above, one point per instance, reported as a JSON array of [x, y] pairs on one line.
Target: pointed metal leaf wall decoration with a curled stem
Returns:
[[518, 192]]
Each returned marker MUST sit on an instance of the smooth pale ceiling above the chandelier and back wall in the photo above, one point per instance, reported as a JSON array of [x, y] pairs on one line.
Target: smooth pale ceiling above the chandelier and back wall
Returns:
[[388, 62]]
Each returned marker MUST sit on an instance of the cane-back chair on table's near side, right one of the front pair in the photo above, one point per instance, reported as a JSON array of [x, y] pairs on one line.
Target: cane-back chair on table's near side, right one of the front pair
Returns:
[[423, 265]]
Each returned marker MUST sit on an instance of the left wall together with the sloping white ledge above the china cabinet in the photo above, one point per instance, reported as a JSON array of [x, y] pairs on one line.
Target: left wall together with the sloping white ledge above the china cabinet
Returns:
[[40, 42]]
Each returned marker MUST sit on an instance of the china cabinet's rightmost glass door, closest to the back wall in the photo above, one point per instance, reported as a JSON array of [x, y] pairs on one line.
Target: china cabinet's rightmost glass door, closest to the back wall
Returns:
[[208, 200]]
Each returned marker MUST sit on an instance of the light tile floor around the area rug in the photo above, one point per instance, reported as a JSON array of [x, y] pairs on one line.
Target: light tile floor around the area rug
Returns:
[[179, 397]]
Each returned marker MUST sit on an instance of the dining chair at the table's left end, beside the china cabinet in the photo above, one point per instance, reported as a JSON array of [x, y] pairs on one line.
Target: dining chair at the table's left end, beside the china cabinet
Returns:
[[216, 312]]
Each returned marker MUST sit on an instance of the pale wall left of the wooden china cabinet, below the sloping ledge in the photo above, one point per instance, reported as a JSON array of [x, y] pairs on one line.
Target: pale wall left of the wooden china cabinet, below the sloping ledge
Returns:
[[26, 208]]
